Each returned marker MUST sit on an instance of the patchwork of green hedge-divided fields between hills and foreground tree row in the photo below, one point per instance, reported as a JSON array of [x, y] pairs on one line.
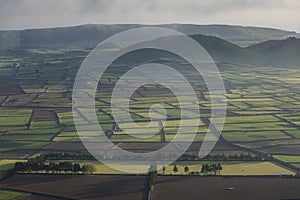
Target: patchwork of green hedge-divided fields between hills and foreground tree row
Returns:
[[35, 107]]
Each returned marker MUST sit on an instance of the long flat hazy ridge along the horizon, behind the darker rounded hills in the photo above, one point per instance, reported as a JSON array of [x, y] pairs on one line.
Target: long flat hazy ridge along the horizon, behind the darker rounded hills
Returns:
[[88, 36]]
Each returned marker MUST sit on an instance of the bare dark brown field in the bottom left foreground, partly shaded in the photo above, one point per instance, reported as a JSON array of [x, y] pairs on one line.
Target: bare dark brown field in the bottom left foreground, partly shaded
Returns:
[[100, 187]]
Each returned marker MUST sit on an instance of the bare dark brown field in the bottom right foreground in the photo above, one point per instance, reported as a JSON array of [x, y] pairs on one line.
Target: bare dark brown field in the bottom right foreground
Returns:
[[242, 188]]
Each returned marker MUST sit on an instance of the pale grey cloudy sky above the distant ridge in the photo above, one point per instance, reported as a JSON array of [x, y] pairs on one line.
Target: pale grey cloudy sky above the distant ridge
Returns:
[[20, 14]]
